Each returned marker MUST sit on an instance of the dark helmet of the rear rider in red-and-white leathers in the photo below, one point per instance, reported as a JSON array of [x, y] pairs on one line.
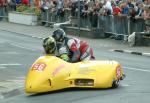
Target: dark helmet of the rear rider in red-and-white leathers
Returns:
[[59, 35]]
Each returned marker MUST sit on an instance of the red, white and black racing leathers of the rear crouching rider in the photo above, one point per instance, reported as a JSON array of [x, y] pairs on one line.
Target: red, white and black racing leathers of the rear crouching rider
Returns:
[[78, 50]]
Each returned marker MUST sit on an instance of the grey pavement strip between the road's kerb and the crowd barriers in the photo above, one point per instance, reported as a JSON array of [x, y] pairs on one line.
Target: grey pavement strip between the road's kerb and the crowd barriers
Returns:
[[42, 32]]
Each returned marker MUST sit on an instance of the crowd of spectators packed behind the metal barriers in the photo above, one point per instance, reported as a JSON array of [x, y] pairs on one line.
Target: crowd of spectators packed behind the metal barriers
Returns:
[[92, 8]]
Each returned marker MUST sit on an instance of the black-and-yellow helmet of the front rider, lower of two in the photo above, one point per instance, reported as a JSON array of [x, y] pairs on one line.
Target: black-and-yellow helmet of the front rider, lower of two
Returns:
[[49, 45]]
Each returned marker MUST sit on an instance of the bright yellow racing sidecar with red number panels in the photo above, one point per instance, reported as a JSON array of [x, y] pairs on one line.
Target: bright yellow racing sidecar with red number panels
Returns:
[[49, 73]]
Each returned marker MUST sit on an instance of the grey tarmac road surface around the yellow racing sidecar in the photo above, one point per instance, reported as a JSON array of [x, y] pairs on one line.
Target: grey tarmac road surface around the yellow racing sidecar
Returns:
[[18, 52]]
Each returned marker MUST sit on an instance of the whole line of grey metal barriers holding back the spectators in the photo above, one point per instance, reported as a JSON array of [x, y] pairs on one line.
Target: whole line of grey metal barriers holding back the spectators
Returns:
[[113, 24]]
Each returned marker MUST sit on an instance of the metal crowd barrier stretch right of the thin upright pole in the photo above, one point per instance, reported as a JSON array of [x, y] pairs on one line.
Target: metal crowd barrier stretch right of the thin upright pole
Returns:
[[115, 24]]
